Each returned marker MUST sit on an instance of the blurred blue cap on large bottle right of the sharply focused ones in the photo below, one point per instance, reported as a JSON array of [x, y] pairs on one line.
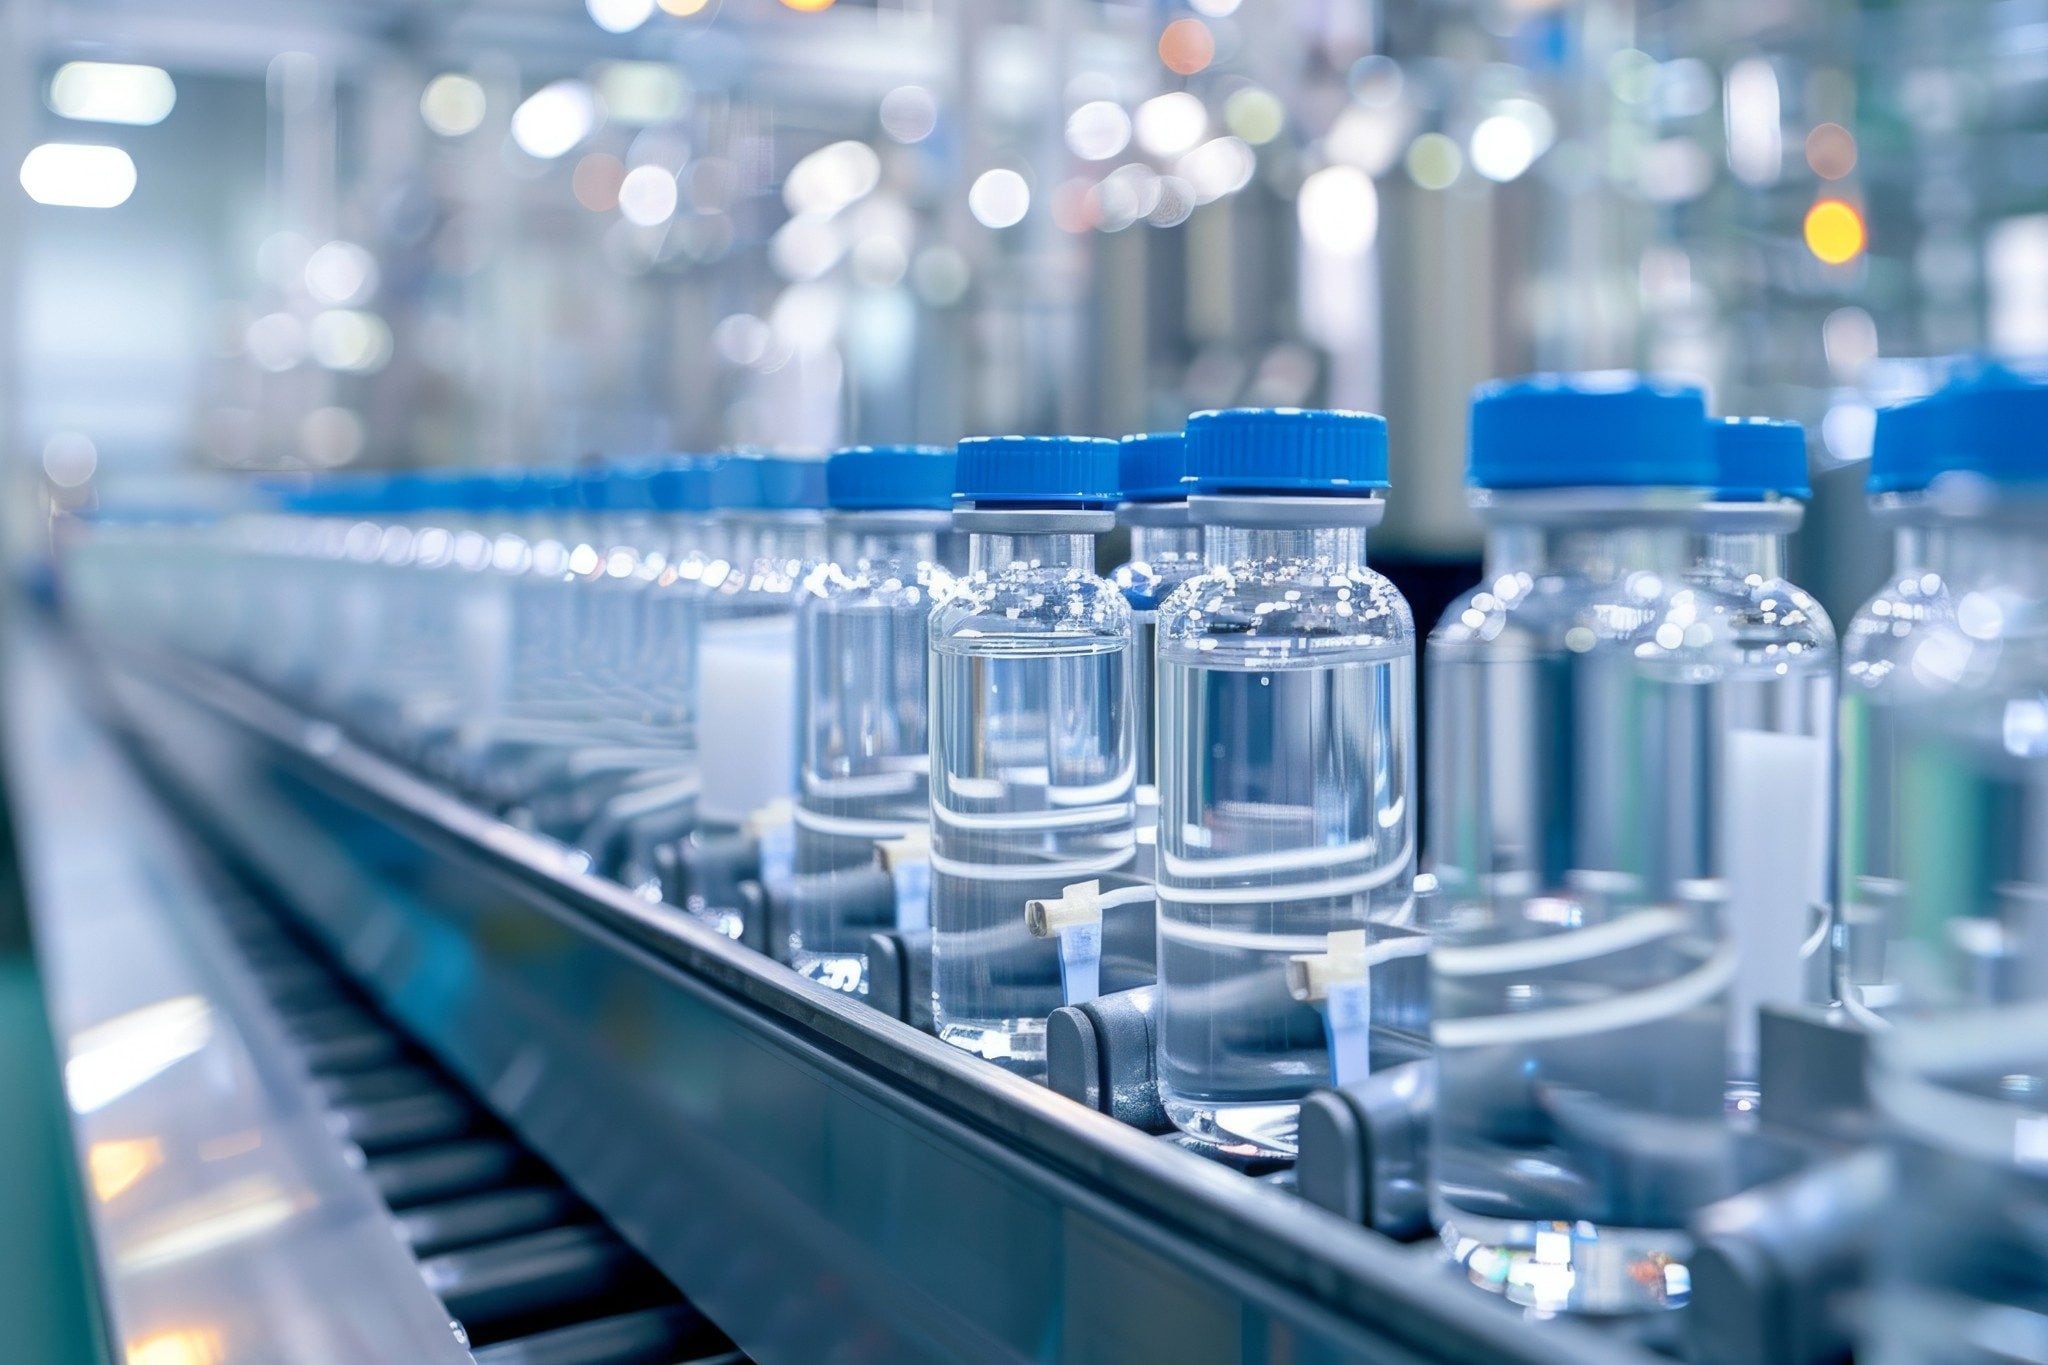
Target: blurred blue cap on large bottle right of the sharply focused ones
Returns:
[[1611, 429]]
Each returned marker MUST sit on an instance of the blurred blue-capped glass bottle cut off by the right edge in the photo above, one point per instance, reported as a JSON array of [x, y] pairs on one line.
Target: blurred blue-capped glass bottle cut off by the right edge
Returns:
[[1963, 1073]]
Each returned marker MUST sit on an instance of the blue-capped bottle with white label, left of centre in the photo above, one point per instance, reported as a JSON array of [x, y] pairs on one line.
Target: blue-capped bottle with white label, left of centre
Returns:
[[746, 691]]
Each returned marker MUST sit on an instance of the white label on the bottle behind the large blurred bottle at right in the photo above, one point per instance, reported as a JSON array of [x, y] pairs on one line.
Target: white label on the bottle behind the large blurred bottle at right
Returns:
[[1775, 850]]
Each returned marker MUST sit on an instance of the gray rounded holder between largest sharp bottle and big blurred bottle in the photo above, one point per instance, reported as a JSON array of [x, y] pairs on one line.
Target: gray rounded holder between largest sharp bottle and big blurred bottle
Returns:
[[1365, 1149]]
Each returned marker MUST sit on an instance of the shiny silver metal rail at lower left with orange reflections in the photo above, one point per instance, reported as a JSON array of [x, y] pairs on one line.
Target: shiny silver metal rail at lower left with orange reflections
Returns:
[[226, 1219]]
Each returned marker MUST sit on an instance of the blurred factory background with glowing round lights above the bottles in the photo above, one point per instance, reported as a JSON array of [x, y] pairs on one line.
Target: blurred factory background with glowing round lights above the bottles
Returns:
[[400, 232]]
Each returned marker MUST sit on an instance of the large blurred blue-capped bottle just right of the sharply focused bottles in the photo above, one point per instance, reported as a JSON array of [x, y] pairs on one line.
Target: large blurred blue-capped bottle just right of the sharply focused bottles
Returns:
[[1580, 967]]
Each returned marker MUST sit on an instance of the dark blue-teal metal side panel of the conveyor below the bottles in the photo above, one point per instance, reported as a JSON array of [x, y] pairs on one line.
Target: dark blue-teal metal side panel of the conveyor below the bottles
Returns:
[[818, 1178]]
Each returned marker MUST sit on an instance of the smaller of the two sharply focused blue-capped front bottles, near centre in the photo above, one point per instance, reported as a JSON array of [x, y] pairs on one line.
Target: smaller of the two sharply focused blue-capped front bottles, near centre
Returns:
[[1033, 742]]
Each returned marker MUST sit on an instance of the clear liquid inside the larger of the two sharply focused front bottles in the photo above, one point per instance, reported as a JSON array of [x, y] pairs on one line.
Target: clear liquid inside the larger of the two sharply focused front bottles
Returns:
[[1289, 822]]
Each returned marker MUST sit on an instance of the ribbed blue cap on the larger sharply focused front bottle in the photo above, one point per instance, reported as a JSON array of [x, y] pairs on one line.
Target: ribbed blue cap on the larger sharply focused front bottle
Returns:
[[1293, 451]]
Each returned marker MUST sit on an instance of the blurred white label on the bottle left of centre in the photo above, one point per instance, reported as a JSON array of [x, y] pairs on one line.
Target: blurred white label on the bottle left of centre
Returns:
[[746, 721]]
